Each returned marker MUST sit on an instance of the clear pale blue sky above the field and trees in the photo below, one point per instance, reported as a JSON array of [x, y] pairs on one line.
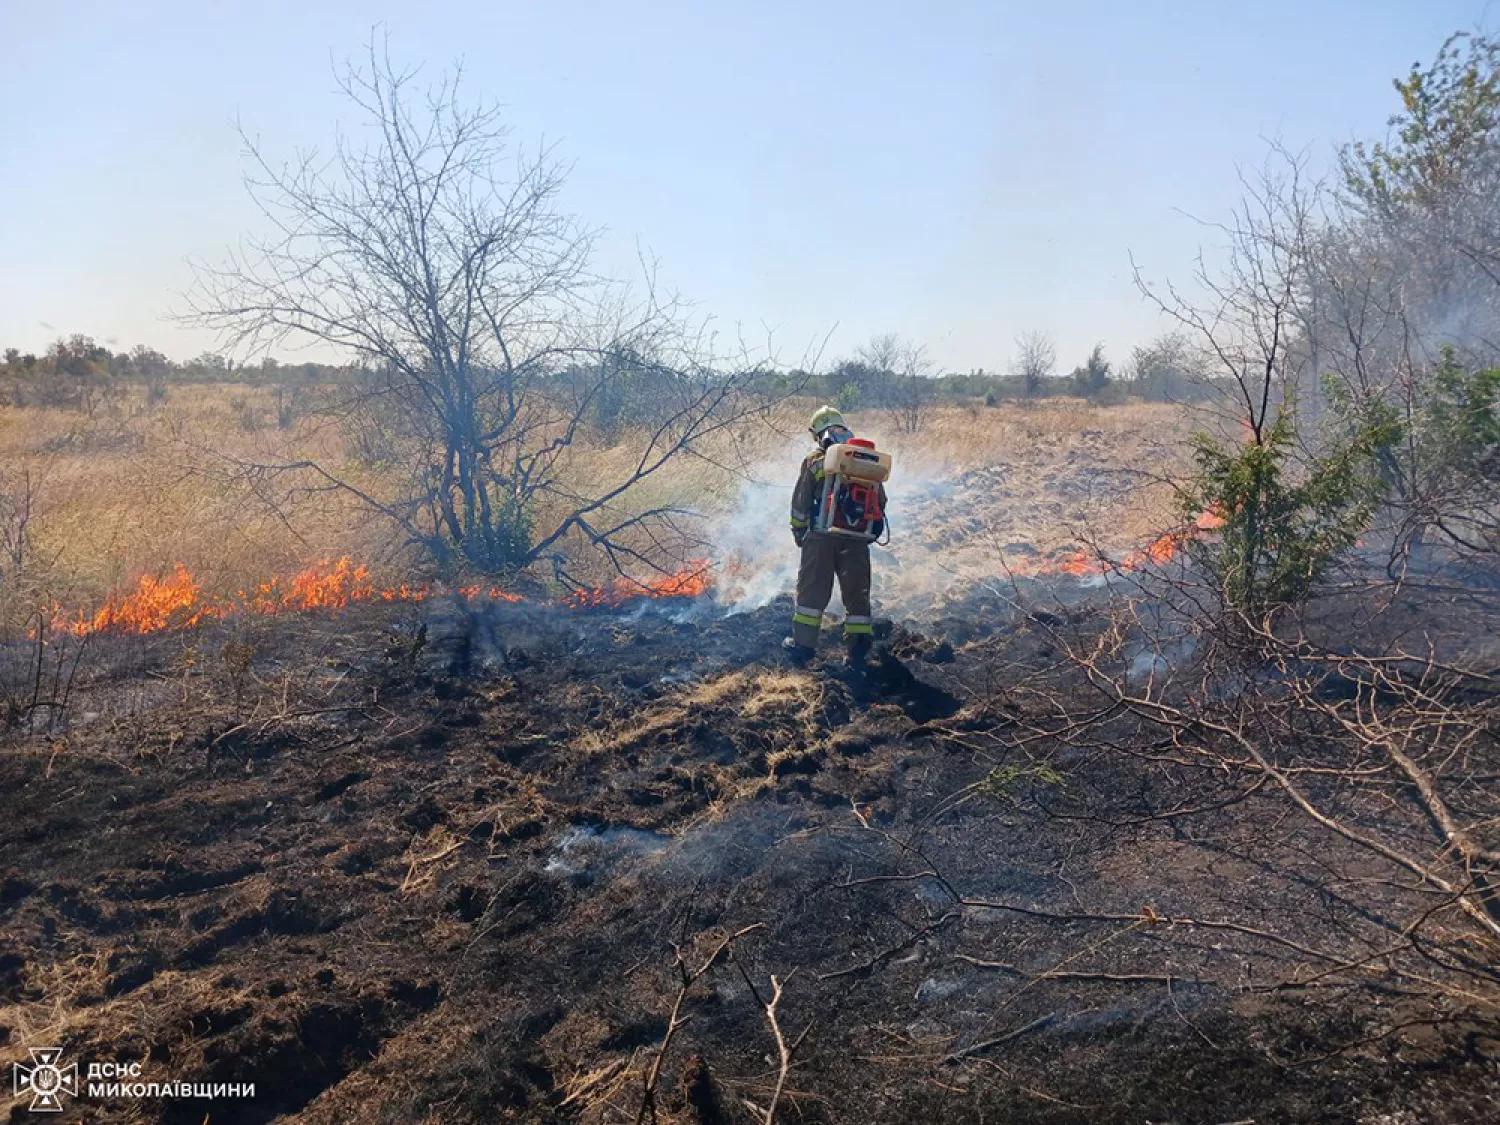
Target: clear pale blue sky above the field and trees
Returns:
[[956, 173]]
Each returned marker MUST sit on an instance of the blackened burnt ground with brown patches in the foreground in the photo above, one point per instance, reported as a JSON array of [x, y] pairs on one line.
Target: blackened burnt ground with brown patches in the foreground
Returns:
[[449, 865]]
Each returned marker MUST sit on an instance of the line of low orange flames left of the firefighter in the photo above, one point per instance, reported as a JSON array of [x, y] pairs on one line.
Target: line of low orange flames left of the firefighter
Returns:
[[178, 601]]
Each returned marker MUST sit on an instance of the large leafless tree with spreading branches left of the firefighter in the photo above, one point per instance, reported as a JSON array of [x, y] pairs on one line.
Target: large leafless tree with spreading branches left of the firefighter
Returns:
[[445, 269]]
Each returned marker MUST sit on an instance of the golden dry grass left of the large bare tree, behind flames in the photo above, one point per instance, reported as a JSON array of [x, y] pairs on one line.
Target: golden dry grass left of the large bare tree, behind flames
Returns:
[[139, 490]]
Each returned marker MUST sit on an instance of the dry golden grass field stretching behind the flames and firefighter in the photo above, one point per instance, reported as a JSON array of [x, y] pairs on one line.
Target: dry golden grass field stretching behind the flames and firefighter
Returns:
[[142, 488]]
